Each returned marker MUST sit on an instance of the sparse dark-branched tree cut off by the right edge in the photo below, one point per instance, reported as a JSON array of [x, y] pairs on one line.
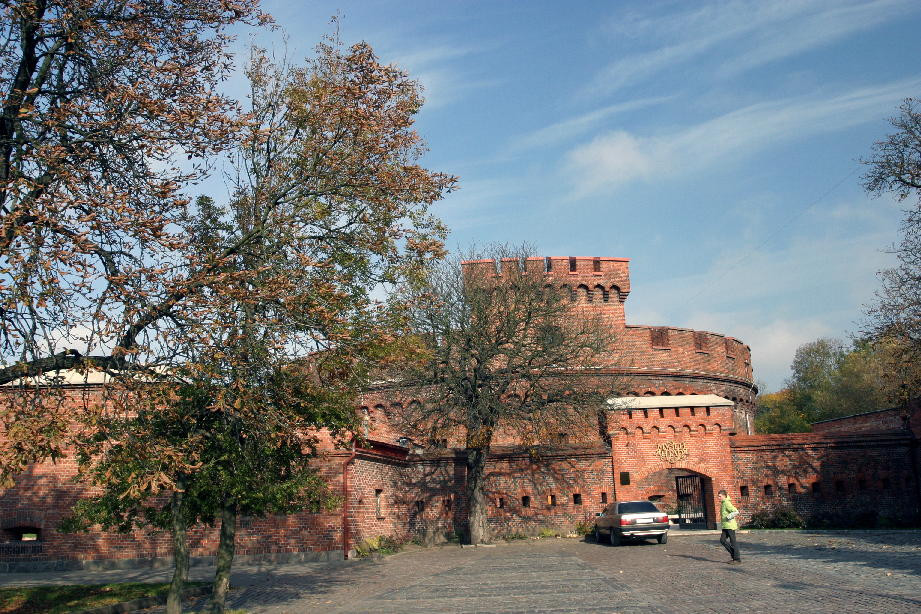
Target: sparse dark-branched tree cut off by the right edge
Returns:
[[895, 168]]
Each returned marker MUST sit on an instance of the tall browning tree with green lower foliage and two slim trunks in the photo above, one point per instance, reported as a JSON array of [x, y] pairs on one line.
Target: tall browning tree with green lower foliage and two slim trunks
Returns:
[[328, 202]]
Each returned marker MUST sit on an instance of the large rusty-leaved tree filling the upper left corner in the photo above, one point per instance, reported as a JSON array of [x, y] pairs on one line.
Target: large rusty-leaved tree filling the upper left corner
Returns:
[[108, 110]]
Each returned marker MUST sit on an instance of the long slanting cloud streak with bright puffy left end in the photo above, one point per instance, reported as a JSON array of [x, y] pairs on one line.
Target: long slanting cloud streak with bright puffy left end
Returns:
[[617, 158]]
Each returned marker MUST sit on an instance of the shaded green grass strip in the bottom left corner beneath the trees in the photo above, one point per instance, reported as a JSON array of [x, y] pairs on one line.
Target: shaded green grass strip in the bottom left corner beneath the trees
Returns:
[[73, 598]]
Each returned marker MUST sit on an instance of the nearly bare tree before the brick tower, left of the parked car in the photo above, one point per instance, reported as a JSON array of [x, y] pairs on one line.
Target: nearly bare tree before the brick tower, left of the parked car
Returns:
[[493, 355]]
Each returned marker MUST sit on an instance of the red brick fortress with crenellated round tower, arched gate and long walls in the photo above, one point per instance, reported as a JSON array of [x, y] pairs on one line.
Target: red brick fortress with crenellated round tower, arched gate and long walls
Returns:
[[394, 492]]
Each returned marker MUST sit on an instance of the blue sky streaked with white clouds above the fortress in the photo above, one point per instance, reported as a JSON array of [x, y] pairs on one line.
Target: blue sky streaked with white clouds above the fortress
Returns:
[[715, 144]]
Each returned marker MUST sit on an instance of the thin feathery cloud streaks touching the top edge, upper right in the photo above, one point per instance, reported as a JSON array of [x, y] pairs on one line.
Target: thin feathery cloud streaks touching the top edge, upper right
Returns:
[[760, 33]]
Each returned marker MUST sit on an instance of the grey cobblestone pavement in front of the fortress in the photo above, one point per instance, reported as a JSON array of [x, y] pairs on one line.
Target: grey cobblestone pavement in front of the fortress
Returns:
[[781, 572]]
